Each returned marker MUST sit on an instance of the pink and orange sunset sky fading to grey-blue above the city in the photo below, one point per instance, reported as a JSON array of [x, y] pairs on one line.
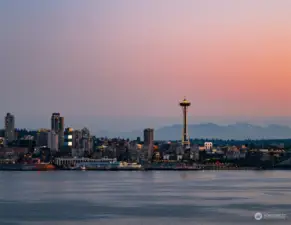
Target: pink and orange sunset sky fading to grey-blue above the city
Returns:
[[109, 61]]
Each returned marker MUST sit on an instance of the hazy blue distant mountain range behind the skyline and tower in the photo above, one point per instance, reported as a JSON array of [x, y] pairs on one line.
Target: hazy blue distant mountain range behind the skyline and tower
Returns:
[[238, 131]]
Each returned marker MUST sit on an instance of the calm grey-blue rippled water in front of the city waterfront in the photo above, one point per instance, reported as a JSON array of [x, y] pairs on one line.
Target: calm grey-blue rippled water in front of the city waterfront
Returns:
[[140, 198]]
